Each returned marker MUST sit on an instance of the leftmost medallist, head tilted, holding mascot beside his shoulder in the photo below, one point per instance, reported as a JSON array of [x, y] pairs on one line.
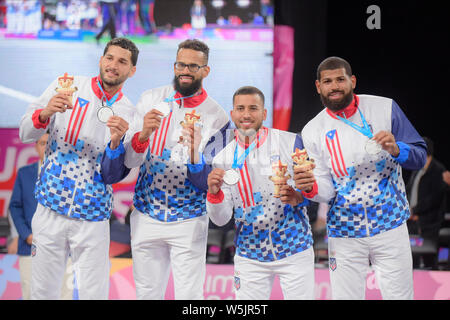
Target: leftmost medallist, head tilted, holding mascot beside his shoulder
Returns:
[[74, 202]]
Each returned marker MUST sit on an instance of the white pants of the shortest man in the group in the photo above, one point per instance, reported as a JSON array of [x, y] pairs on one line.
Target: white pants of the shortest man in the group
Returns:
[[254, 279]]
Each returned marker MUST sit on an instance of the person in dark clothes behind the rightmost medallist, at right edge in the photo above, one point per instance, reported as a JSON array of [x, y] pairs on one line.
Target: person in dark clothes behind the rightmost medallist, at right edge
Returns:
[[426, 195]]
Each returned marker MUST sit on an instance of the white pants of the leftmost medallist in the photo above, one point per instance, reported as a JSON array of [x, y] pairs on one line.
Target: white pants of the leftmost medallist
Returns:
[[54, 237]]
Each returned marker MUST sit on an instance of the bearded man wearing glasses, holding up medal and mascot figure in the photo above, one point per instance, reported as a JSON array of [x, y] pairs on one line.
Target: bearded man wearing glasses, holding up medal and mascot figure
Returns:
[[169, 225]]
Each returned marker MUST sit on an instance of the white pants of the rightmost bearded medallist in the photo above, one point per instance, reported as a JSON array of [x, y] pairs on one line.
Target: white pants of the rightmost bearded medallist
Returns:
[[391, 258]]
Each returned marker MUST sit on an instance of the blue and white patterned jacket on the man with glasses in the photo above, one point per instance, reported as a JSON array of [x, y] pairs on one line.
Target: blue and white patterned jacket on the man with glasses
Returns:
[[167, 189]]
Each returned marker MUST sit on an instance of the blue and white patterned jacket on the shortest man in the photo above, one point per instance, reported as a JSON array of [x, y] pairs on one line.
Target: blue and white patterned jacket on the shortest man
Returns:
[[267, 229]]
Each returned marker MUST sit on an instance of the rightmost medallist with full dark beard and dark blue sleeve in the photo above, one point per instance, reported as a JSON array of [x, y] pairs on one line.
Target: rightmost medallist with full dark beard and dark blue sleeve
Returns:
[[360, 143]]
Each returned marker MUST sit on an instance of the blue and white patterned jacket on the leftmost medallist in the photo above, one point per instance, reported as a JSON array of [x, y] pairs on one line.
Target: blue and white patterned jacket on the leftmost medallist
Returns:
[[70, 182]]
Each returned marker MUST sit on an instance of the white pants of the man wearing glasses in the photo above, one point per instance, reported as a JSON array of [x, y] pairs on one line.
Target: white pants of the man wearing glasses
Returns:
[[156, 246]]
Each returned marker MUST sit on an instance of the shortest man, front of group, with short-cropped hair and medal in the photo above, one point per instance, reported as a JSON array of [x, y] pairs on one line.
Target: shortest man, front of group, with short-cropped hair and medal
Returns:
[[273, 234]]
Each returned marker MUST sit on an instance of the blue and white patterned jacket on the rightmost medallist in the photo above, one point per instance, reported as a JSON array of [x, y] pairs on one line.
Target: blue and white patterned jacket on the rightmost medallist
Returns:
[[366, 192]]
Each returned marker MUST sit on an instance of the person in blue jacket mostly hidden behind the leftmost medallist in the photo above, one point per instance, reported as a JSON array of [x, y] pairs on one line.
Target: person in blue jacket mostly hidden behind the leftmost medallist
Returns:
[[22, 207]]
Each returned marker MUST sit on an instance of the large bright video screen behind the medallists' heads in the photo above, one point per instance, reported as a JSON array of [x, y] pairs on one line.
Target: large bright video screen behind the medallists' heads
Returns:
[[41, 40]]
